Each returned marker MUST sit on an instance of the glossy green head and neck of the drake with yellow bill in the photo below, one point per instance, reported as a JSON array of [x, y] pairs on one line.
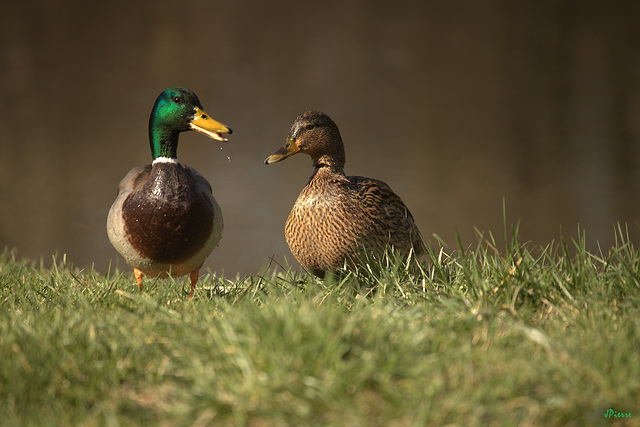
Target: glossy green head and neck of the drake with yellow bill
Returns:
[[178, 110]]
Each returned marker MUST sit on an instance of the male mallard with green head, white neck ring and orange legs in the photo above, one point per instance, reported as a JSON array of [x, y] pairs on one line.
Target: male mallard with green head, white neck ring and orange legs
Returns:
[[165, 219]]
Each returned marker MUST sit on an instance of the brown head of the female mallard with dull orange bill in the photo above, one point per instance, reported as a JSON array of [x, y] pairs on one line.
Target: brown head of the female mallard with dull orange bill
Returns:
[[315, 134]]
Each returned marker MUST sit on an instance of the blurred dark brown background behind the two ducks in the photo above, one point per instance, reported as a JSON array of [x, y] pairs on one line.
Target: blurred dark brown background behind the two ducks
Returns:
[[455, 104]]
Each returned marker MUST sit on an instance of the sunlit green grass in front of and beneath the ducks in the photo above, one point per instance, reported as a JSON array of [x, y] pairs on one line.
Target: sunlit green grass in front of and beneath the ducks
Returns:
[[493, 334]]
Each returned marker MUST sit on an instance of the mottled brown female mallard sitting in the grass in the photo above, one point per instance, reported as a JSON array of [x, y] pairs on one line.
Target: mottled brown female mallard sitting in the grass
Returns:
[[335, 215]]
